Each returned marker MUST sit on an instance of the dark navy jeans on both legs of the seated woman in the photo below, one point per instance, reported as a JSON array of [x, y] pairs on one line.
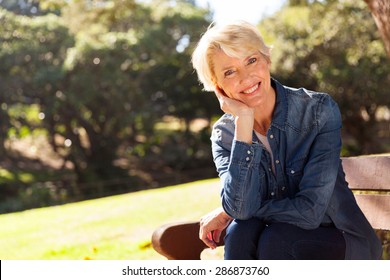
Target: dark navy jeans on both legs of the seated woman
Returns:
[[254, 240]]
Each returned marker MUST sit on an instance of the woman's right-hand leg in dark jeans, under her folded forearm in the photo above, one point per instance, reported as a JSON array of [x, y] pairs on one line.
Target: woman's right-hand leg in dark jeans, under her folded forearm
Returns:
[[289, 242]]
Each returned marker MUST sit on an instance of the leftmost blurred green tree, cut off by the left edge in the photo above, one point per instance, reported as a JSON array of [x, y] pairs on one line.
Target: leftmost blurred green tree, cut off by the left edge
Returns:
[[32, 53]]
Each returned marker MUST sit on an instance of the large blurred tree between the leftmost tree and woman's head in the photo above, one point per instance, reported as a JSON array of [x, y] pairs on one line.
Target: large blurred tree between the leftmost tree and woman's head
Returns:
[[114, 90]]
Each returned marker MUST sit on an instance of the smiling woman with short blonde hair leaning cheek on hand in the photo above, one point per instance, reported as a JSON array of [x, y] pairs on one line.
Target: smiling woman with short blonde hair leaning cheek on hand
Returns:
[[277, 152]]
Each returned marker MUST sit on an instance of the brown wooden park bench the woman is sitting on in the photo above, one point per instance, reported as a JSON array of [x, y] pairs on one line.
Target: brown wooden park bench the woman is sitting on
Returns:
[[368, 177]]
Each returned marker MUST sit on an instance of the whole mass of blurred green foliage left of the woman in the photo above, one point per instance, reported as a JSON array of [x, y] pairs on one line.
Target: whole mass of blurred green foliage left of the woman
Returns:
[[99, 75]]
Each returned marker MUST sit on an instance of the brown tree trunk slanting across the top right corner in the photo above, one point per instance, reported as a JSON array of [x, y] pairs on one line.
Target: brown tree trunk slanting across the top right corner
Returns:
[[380, 10]]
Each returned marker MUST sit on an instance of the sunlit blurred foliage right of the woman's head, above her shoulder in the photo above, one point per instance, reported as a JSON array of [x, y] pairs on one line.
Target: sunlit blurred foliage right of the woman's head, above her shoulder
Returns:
[[335, 47]]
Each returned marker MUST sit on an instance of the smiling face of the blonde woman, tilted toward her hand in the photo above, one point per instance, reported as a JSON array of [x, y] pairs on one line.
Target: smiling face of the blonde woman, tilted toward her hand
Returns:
[[247, 80]]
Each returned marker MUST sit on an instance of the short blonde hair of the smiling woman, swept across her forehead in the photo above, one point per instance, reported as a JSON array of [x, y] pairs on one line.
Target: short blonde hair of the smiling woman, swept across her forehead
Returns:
[[237, 39]]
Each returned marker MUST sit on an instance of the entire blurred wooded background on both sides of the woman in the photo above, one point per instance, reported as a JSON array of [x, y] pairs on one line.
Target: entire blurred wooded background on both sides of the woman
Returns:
[[98, 97]]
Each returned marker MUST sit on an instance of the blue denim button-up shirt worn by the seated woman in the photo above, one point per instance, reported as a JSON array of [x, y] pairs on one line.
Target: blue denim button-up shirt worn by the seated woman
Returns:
[[307, 187]]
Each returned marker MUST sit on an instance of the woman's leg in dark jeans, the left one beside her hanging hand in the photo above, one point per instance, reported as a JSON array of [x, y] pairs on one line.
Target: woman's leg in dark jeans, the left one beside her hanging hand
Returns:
[[242, 238]]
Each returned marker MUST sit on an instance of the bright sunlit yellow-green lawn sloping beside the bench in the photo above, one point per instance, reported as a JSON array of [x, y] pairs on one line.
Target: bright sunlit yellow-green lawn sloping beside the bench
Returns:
[[112, 228]]
